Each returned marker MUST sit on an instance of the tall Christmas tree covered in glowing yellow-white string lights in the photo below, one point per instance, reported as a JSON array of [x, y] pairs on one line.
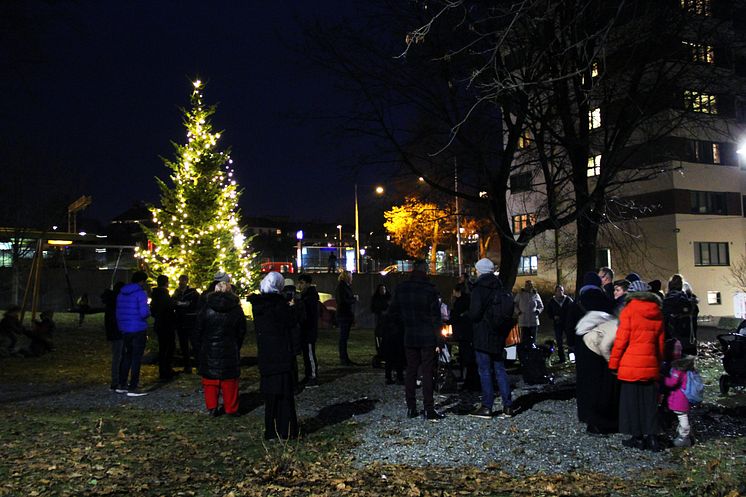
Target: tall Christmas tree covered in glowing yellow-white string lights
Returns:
[[197, 229]]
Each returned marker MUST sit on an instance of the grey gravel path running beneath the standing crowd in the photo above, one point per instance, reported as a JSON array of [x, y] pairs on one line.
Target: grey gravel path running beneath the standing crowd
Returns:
[[544, 436]]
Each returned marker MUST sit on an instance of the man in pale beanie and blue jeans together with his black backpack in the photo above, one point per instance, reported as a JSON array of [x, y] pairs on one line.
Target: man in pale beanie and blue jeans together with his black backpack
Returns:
[[491, 312]]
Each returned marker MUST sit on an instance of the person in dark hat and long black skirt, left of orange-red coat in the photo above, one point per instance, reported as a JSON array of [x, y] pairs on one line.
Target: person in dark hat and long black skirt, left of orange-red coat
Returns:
[[597, 389]]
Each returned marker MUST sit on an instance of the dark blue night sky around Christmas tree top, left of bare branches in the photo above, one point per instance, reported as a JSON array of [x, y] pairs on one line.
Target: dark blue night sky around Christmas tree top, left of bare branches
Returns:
[[94, 89]]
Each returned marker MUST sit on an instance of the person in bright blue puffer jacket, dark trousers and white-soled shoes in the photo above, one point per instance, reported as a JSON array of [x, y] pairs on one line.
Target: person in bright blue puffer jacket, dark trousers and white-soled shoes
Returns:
[[132, 313]]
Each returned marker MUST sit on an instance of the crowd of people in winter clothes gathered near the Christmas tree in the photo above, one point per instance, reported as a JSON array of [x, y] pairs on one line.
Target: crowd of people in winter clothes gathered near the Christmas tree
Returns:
[[632, 345]]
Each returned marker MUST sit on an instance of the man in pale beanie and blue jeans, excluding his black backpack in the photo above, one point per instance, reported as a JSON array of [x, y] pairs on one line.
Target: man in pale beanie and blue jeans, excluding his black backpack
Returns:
[[489, 347]]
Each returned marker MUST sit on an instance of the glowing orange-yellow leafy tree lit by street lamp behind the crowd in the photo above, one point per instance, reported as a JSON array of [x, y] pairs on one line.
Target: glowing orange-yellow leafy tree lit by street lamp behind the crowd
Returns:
[[416, 225]]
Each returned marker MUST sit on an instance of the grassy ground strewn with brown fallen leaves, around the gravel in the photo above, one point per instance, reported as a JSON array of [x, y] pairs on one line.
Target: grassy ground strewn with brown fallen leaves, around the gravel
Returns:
[[128, 450]]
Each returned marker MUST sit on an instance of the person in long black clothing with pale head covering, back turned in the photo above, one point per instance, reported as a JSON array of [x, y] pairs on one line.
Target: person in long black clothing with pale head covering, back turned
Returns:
[[274, 321]]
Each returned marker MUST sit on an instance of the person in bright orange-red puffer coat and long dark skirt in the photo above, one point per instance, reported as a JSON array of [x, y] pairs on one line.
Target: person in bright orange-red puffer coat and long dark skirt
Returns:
[[636, 357]]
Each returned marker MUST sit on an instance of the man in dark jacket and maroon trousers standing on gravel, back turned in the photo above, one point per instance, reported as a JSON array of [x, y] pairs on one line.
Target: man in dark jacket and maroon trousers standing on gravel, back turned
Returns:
[[415, 308]]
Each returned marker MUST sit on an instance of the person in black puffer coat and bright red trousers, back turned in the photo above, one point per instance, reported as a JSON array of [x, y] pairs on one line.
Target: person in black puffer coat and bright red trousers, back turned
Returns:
[[220, 331]]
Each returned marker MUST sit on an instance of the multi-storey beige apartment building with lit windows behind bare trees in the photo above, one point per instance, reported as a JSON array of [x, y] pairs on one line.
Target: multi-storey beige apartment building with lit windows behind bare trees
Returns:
[[690, 216]]
